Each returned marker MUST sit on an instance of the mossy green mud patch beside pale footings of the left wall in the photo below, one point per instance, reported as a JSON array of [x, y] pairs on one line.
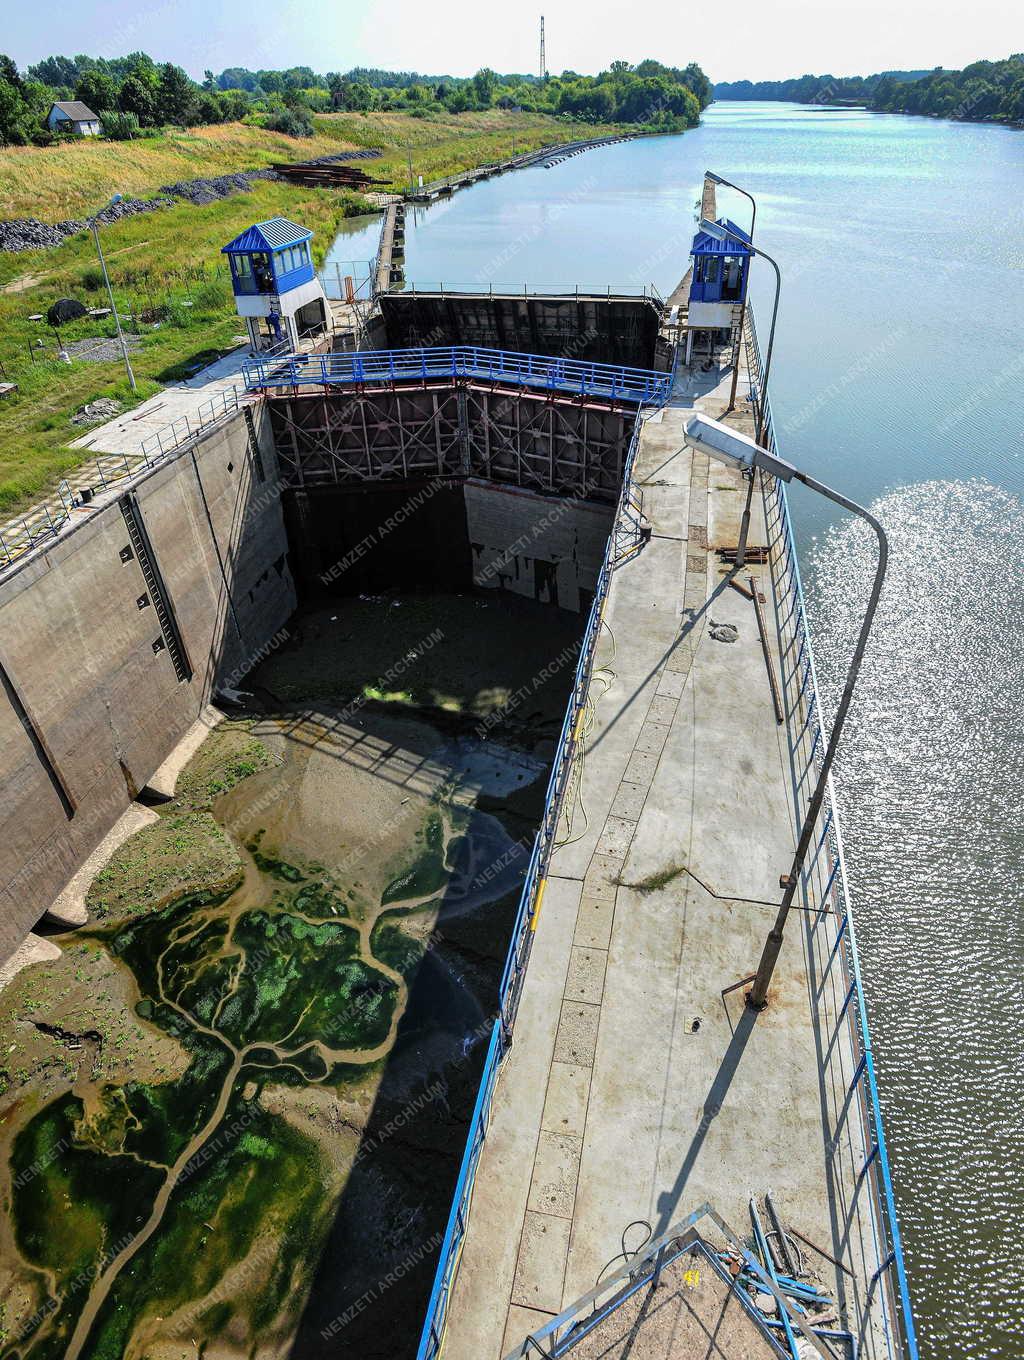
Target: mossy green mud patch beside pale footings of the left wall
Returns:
[[175, 856]]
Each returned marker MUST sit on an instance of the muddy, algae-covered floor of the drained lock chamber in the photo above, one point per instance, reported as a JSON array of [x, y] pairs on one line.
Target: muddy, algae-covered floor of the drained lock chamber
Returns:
[[236, 1106]]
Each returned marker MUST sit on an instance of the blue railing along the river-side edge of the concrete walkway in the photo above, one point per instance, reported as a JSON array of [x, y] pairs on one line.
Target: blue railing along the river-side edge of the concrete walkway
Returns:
[[848, 1070]]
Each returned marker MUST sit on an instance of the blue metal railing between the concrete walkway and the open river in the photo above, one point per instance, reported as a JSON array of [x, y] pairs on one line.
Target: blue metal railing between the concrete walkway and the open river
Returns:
[[807, 745]]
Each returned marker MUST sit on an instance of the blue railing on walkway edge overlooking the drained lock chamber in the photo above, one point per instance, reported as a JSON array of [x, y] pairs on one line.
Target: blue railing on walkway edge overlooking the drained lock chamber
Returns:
[[522, 943]]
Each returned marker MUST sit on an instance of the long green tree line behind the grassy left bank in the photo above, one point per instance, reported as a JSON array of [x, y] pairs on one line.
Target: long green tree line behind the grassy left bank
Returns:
[[134, 96]]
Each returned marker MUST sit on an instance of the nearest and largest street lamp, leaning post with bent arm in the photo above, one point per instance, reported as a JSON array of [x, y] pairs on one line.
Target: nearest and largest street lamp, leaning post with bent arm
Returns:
[[719, 441]]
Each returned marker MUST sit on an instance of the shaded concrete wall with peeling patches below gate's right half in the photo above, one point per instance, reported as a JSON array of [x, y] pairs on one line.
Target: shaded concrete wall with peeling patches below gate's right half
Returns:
[[542, 547]]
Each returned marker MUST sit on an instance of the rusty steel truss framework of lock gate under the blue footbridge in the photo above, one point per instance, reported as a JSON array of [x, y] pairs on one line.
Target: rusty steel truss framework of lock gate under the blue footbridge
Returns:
[[547, 443]]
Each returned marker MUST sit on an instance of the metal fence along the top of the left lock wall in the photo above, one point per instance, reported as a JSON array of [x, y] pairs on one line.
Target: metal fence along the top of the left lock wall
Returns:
[[105, 471]]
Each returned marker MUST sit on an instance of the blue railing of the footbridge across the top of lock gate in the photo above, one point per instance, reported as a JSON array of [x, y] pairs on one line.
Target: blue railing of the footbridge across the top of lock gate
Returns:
[[530, 371]]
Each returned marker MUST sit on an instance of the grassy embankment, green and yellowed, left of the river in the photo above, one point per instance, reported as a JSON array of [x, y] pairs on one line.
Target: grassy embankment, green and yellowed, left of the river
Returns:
[[167, 266]]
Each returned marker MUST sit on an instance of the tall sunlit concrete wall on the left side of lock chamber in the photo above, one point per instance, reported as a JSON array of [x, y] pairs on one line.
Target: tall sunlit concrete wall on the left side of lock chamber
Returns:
[[89, 711]]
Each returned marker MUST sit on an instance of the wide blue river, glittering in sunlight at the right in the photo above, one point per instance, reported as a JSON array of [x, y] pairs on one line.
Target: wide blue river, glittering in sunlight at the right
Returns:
[[898, 372]]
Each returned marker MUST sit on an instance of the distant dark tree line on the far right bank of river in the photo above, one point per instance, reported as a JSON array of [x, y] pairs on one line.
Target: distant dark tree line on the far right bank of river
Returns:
[[987, 90]]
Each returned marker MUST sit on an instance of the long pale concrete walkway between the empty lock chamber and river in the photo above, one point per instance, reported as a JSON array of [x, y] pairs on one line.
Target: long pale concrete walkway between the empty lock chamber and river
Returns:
[[638, 1085]]
